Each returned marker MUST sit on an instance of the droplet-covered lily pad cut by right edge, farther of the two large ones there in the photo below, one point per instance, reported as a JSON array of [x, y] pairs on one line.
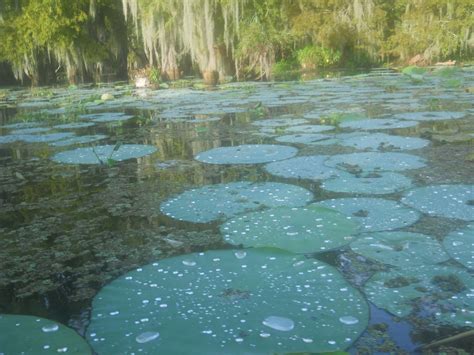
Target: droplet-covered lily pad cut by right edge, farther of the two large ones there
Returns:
[[450, 201]]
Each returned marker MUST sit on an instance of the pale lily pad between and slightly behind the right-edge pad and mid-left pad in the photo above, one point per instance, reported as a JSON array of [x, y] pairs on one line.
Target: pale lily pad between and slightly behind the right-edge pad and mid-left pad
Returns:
[[372, 183]]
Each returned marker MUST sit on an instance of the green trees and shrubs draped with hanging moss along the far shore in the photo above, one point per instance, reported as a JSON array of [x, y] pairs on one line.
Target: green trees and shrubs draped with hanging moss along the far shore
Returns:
[[47, 42]]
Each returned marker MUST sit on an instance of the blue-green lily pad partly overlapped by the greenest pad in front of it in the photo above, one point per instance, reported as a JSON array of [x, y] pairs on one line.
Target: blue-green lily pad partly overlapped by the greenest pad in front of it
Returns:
[[214, 202]]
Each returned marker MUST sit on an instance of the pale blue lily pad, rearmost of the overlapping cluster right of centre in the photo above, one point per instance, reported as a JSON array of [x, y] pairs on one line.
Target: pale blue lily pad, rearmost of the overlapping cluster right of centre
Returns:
[[382, 141]]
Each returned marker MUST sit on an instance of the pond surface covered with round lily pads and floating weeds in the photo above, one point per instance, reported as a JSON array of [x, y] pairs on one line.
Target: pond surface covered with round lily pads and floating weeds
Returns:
[[322, 215]]
